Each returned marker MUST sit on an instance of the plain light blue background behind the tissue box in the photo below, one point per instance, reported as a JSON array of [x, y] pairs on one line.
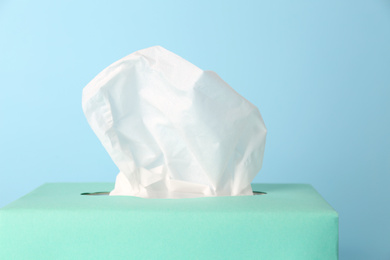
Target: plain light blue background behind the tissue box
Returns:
[[319, 71]]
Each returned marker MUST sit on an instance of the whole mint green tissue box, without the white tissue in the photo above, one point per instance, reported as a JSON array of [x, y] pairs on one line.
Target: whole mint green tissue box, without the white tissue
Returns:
[[291, 221]]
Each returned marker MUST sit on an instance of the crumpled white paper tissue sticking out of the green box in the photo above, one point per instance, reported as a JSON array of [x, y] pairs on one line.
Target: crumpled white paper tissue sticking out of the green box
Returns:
[[174, 130]]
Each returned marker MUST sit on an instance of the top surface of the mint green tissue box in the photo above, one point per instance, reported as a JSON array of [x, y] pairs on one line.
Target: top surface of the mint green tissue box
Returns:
[[298, 198]]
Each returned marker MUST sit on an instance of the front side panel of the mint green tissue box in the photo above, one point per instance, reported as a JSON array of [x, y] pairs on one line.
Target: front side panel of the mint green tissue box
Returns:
[[169, 235]]
